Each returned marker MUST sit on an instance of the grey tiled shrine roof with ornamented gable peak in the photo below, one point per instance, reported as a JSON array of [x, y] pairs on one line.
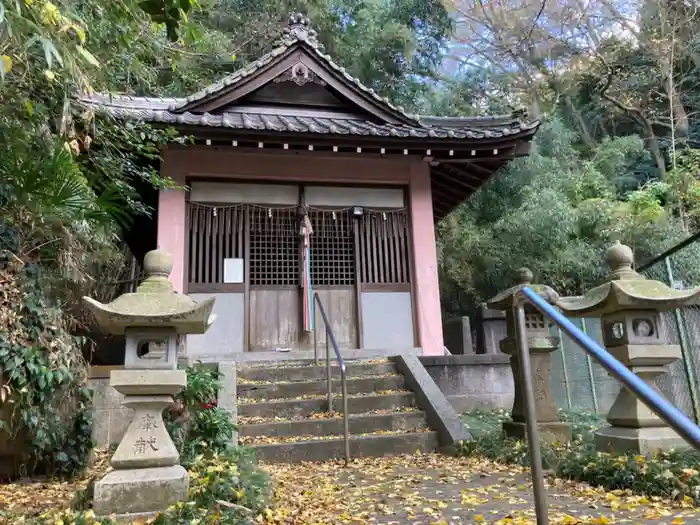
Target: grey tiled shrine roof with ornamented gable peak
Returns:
[[181, 111]]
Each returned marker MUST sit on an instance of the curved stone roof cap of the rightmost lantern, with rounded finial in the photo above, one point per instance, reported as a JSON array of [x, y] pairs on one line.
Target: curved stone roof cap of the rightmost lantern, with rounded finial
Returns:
[[627, 290]]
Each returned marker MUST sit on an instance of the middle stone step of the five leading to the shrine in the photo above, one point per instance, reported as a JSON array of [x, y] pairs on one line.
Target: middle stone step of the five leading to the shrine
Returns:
[[290, 408]]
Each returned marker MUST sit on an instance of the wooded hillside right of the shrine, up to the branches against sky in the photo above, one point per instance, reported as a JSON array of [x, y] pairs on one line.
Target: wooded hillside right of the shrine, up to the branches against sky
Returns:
[[615, 84]]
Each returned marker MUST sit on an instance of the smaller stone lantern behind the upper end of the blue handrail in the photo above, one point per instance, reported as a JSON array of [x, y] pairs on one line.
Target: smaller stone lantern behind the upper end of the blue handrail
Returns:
[[541, 345]]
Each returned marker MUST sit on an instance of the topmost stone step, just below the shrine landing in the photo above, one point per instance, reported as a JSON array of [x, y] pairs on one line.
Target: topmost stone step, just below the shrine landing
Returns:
[[307, 371]]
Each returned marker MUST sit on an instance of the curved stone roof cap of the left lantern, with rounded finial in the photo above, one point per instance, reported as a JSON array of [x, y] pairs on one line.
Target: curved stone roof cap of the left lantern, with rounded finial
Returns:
[[154, 304]]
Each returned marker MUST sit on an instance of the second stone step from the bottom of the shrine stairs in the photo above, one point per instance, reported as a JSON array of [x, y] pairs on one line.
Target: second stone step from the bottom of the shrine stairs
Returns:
[[359, 424]]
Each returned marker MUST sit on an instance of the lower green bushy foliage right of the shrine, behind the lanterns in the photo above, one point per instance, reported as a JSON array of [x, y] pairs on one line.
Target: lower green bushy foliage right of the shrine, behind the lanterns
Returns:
[[556, 212]]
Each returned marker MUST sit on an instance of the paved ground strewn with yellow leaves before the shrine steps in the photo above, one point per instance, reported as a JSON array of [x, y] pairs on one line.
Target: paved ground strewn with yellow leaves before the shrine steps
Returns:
[[439, 490]]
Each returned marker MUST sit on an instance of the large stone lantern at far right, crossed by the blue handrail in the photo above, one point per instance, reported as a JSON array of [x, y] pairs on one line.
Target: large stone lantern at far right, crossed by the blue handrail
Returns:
[[629, 306]]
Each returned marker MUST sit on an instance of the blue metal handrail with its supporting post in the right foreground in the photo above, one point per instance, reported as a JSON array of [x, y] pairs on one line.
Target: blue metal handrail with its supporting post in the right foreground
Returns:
[[678, 421]]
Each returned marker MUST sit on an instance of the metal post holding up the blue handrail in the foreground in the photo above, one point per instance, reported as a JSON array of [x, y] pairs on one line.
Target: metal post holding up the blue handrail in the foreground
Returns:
[[533, 435]]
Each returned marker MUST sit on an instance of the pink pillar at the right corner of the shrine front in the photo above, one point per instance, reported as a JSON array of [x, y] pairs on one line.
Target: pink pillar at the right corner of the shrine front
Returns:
[[425, 280]]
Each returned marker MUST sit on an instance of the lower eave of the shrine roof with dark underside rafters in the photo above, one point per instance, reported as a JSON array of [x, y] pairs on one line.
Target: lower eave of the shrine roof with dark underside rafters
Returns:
[[459, 166]]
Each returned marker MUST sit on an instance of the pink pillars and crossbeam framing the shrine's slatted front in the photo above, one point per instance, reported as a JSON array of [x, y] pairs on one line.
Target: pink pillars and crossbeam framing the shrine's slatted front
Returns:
[[181, 163]]
